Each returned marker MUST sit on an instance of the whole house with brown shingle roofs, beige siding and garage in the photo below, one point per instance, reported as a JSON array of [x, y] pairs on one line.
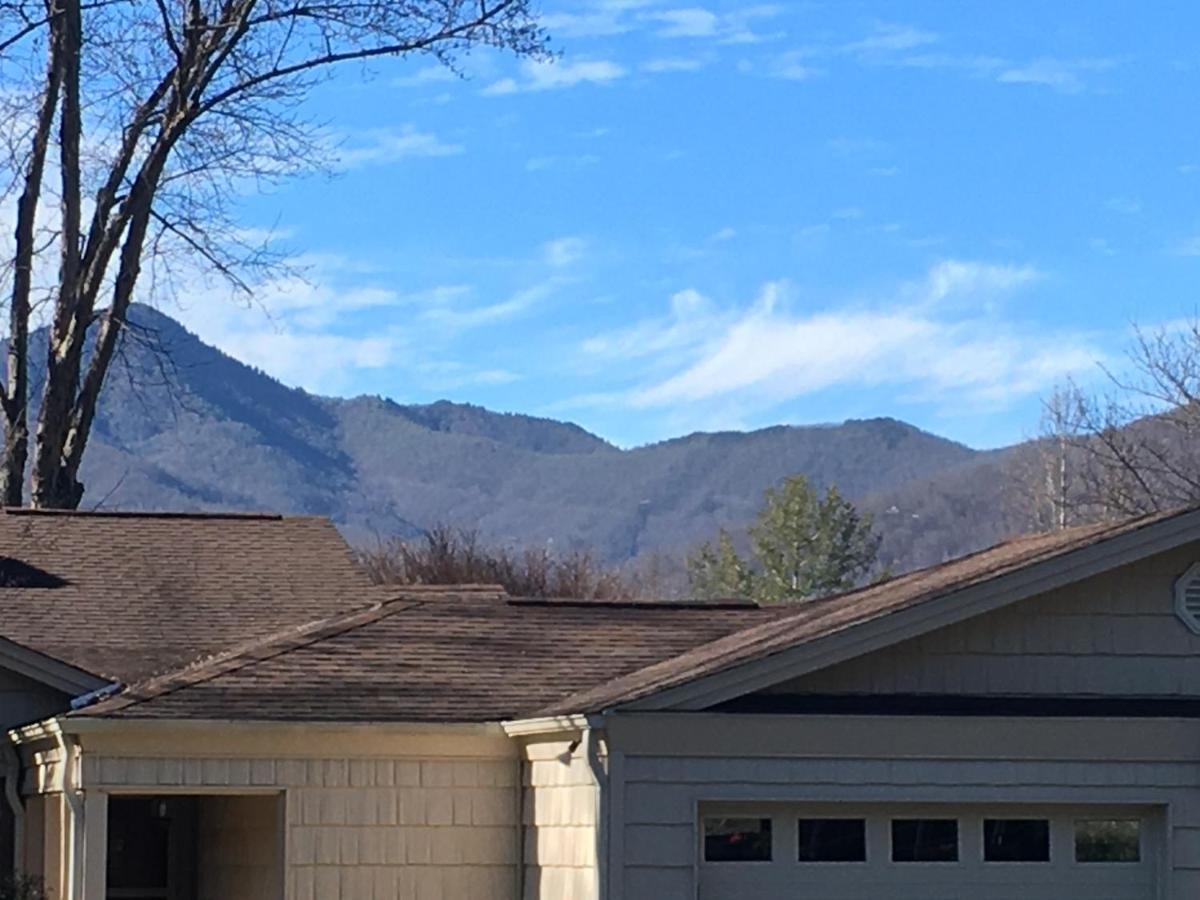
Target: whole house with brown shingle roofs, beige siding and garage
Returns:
[[1022, 723]]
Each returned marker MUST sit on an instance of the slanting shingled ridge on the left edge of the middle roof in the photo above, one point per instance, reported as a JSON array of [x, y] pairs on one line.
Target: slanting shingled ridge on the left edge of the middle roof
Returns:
[[248, 655]]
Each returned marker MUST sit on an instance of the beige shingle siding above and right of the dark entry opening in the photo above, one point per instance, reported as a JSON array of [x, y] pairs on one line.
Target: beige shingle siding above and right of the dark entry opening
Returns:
[[422, 830]]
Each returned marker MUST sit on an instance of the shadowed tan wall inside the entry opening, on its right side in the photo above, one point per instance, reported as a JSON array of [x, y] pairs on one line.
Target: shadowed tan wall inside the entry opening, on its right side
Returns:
[[239, 848]]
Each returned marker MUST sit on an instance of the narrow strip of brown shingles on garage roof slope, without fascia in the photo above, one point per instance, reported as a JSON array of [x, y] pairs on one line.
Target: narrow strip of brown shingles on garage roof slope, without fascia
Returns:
[[823, 619]]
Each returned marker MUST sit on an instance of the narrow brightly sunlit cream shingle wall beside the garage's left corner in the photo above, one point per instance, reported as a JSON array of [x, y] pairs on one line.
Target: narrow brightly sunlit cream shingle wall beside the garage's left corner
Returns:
[[561, 823]]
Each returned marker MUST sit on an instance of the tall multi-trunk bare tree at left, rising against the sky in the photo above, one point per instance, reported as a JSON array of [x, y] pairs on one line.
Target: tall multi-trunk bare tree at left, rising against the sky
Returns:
[[130, 127]]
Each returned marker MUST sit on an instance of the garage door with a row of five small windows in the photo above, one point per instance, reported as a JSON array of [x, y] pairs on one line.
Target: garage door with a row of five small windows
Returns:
[[839, 853]]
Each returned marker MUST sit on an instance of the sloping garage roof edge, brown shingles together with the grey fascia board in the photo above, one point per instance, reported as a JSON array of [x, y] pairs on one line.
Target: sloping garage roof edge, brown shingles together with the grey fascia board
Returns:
[[829, 632]]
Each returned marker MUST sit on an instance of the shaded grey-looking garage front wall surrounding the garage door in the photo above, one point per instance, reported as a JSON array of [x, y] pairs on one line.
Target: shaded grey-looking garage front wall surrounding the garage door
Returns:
[[674, 764]]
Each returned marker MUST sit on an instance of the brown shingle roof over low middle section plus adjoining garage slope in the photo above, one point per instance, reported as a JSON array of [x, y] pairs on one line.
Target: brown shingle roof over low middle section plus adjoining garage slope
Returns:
[[472, 655]]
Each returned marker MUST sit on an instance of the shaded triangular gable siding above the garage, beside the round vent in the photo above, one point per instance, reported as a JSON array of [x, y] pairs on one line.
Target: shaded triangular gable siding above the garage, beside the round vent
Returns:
[[1115, 634]]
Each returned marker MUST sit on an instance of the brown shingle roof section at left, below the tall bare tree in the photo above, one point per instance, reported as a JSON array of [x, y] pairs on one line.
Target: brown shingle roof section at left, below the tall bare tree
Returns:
[[127, 596]]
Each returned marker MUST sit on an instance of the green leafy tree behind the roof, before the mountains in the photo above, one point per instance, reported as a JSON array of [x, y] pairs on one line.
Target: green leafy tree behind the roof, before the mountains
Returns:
[[805, 545]]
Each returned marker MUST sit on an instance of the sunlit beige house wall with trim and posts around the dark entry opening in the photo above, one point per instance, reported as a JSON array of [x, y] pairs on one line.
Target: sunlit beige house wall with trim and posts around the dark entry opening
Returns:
[[375, 813]]
